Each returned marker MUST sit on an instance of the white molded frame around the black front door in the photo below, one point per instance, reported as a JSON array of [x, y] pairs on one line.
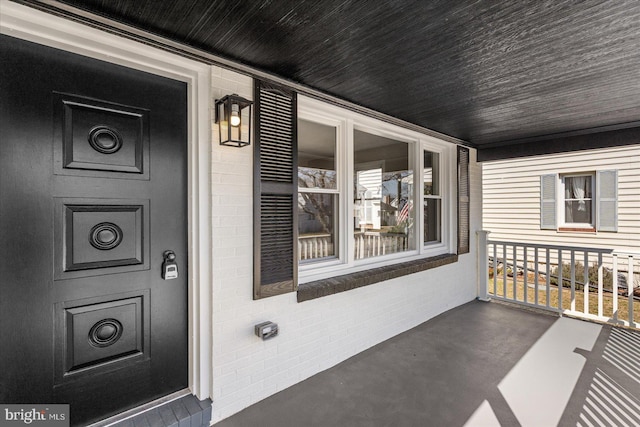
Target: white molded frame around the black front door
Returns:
[[49, 30]]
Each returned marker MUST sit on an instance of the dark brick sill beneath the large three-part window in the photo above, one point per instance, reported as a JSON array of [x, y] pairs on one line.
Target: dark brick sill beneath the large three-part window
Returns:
[[333, 285]]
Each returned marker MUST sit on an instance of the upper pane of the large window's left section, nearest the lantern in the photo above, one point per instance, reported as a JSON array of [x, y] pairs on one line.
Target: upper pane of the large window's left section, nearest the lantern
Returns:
[[316, 155]]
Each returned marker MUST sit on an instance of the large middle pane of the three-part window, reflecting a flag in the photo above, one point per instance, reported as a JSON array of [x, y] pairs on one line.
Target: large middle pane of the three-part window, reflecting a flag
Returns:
[[383, 192]]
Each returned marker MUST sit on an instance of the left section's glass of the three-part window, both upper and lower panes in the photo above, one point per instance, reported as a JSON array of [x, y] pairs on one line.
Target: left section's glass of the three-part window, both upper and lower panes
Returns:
[[317, 191]]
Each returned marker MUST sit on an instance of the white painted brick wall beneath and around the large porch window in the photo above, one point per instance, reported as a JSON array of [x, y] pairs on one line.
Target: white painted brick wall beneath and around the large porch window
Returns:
[[314, 335]]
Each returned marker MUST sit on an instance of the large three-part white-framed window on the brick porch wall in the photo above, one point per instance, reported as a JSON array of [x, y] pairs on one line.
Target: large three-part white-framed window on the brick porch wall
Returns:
[[361, 200]]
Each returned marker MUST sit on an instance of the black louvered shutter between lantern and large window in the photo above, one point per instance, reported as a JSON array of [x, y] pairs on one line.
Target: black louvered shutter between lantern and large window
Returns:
[[275, 191]]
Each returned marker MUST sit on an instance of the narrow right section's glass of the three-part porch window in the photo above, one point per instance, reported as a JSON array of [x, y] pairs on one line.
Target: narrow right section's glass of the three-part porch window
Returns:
[[432, 197]]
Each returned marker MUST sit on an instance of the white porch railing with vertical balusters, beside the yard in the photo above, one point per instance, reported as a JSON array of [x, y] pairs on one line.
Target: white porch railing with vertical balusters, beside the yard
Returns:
[[592, 283]]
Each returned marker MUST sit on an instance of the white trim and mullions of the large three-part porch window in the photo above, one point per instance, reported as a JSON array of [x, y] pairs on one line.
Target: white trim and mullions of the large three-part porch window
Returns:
[[346, 122]]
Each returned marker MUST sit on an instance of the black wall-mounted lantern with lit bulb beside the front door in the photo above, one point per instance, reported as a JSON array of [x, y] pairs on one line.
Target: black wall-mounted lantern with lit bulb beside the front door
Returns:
[[233, 116]]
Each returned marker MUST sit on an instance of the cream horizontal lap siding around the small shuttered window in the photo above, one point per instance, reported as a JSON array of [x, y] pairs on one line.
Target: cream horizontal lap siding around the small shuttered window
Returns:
[[511, 197]]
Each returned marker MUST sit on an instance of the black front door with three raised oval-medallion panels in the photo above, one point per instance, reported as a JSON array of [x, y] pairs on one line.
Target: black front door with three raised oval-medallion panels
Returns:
[[93, 191]]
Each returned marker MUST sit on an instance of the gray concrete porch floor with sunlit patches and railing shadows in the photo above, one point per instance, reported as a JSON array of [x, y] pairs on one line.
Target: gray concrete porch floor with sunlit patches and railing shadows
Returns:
[[480, 364]]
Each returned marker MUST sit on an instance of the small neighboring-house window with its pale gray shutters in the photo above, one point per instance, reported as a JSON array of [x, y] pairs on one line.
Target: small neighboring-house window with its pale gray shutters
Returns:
[[585, 201]]
